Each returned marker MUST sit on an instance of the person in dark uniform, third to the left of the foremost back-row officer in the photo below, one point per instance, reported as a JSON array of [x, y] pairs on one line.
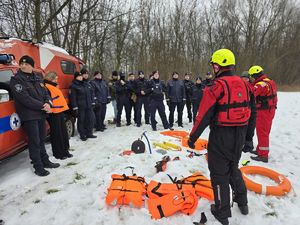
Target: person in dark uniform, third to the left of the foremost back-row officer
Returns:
[[123, 99]]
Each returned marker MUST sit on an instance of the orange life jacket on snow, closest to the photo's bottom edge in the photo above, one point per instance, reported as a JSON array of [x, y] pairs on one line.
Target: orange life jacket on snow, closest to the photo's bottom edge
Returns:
[[183, 201]]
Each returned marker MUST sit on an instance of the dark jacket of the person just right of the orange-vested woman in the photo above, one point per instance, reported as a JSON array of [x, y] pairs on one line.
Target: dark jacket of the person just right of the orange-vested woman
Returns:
[[81, 95]]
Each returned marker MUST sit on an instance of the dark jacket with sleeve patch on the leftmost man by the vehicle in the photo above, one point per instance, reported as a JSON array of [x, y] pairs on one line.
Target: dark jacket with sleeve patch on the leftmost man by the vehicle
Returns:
[[30, 95]]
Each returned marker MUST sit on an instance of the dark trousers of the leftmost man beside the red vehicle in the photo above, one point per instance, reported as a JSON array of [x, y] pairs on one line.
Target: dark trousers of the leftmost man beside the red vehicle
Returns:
[[36, 132]]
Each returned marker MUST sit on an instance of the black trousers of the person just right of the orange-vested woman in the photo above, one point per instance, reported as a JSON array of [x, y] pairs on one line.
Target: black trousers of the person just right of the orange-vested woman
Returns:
[[86, 120]]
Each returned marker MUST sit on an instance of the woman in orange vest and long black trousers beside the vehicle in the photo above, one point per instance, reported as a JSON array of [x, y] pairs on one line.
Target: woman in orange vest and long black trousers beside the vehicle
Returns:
[[58, 130]]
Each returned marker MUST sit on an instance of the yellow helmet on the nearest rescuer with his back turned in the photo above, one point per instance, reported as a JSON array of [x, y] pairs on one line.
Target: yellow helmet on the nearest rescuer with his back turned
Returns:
[[223, 57]]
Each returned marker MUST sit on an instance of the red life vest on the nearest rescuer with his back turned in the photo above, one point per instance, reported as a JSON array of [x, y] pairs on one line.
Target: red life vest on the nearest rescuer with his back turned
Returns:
[[234, 106]]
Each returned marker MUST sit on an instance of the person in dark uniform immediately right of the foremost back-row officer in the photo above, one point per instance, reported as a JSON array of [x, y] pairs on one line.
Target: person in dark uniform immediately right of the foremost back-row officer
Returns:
[[176, 98]]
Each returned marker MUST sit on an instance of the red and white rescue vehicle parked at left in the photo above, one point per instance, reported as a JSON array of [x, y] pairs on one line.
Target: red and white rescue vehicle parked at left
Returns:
[[47, 57]]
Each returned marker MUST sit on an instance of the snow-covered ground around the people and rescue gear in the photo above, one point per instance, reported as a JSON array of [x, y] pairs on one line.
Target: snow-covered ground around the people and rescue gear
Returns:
[[74, 193]]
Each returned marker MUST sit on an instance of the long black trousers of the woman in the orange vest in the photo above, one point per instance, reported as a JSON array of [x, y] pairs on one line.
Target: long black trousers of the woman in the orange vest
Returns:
[[58, 135]]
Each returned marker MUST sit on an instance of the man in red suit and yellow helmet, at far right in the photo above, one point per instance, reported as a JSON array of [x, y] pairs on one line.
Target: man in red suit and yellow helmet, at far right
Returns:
[[265, 92]]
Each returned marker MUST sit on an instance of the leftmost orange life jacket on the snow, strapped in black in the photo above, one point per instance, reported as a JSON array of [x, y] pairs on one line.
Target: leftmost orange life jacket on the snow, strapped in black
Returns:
[[126, 190]]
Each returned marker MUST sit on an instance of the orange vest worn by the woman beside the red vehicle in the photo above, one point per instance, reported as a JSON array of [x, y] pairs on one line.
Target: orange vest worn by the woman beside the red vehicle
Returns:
[[59, 103]]
